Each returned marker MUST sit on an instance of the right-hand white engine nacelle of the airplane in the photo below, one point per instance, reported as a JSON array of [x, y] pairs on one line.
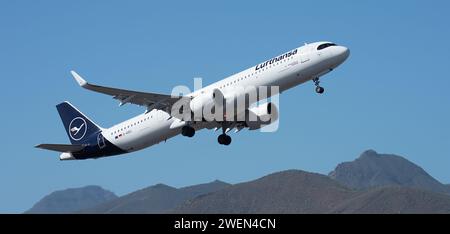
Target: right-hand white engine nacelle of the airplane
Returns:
[[261, 116]]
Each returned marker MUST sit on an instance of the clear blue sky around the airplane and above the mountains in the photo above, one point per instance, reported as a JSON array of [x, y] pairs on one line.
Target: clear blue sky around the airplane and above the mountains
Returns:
[[391, 95]]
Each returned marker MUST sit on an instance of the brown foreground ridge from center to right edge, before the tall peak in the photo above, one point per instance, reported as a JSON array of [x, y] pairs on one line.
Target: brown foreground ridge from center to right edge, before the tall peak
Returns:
[[314, 193]]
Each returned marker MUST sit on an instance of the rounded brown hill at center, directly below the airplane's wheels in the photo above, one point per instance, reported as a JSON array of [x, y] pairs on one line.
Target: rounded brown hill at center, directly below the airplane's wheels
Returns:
[[269, 194]]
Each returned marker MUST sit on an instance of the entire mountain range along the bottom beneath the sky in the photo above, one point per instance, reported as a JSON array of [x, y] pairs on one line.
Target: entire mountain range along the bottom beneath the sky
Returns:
[[372, 183]]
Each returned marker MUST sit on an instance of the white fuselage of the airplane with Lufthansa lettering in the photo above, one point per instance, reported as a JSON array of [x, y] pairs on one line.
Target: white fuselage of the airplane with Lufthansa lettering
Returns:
[[155, 126]]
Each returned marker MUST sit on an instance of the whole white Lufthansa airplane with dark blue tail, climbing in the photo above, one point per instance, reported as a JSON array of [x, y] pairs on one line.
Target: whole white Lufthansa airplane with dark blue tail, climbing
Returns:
[[90, 141]]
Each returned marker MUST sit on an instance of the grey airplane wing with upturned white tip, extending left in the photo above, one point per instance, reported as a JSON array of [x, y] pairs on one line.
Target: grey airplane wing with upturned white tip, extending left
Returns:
[[149, 100]]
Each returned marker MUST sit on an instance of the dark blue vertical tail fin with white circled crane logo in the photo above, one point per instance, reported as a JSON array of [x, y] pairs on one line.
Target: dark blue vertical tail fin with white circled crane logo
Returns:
[[78, 126]]
